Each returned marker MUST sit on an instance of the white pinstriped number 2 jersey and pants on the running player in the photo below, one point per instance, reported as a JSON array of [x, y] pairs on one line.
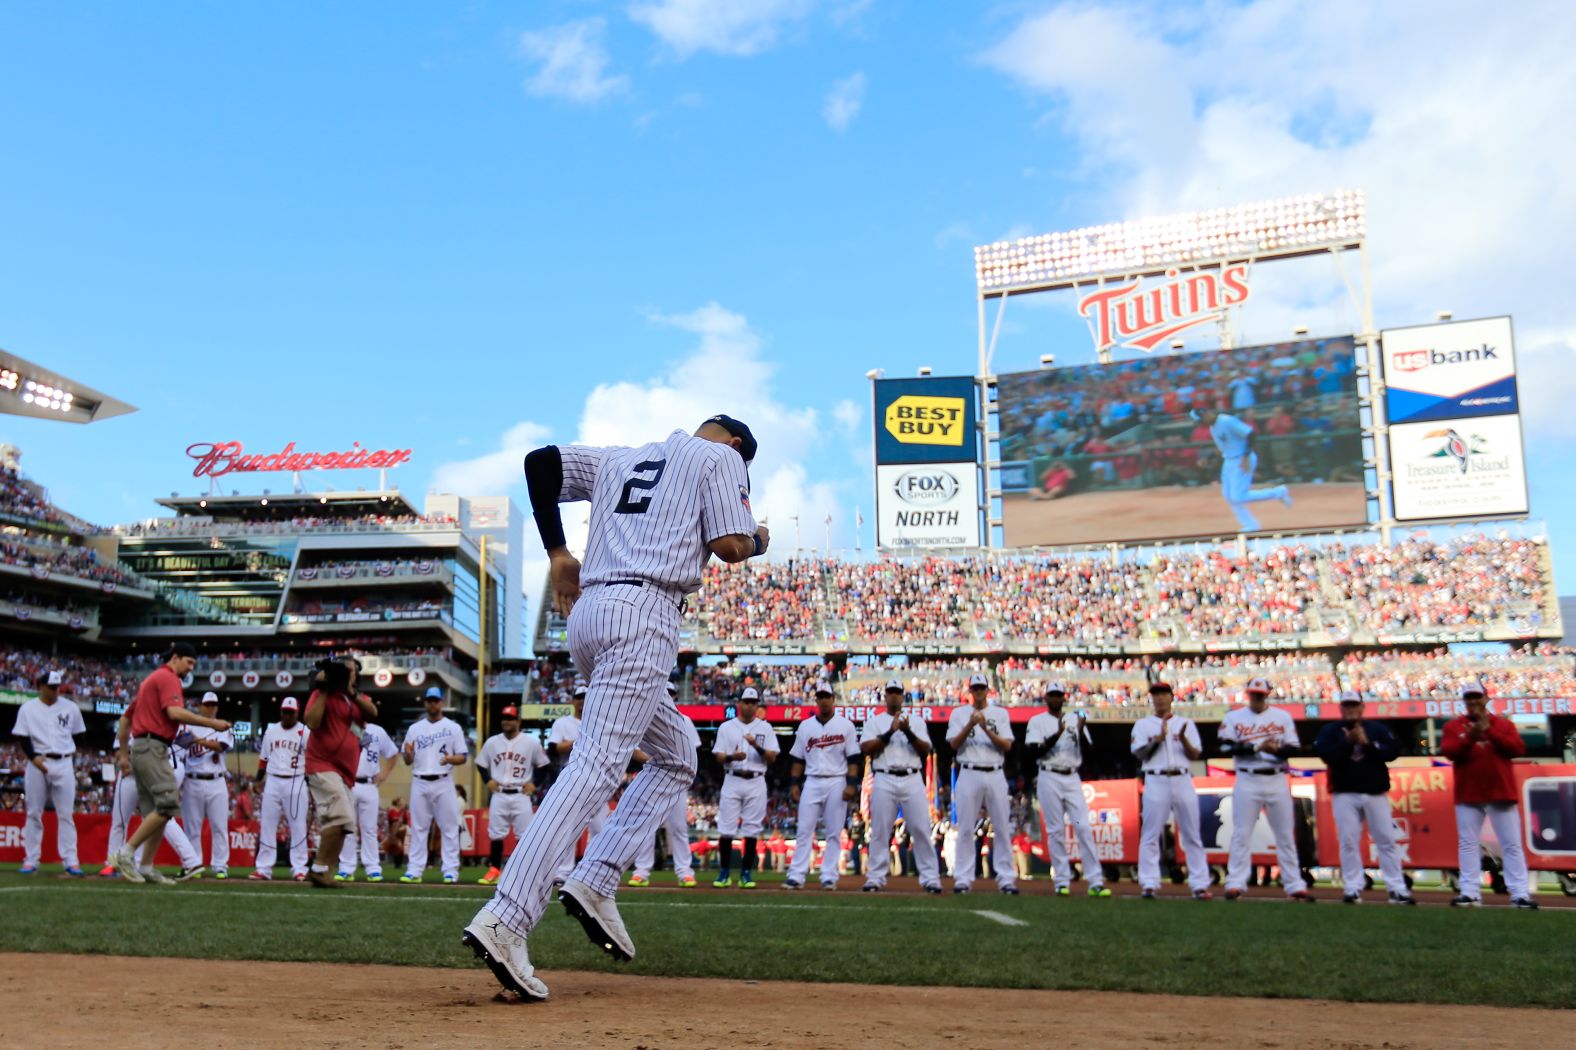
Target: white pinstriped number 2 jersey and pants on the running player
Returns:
[[653, 512]]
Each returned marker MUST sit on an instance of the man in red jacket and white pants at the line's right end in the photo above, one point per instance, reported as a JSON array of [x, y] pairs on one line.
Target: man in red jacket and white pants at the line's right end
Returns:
[[1482, 747]]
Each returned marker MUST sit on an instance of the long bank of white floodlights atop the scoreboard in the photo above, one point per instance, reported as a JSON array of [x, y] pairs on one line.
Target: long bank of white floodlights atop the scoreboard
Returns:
[[1269, 229]]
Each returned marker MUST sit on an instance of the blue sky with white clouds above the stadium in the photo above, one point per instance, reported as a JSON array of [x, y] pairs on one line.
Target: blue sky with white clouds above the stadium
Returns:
[[466, 229]]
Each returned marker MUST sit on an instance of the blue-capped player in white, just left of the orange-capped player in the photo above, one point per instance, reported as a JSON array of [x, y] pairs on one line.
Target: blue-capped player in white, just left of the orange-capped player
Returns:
[[433, 748]]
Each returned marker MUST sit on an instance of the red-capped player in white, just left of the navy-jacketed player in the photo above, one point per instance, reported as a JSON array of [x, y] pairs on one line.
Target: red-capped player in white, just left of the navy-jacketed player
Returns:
[[1260, 739]]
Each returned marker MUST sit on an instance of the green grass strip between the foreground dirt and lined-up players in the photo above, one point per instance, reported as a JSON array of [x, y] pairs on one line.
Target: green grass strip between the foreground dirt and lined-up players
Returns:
[[1262, 948]]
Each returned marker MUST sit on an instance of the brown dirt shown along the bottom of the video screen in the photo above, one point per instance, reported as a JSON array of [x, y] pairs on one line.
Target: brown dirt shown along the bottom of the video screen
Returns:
[[1093, 518]]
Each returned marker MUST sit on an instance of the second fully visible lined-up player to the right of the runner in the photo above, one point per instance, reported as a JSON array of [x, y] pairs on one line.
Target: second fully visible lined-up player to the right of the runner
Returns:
[[827, 773]]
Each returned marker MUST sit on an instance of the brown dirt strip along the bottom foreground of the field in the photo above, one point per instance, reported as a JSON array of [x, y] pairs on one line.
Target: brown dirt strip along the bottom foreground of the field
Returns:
[[144, 1003]]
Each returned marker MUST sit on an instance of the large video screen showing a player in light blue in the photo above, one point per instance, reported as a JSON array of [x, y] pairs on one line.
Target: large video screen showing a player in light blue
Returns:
[[1258, 439]]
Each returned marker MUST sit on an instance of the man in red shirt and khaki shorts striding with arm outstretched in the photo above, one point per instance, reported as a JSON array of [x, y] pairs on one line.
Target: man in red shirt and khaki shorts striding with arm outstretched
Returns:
[[143, 748]]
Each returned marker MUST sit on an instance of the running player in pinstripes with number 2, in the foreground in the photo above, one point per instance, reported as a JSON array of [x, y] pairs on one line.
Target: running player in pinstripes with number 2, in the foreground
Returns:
[[658, 515]]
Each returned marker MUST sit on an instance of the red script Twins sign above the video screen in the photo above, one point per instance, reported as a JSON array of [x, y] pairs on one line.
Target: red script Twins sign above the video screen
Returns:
[[1143, 316]]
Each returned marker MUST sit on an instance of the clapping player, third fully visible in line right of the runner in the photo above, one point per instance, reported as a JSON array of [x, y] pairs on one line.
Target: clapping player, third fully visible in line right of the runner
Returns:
[[899, 745]]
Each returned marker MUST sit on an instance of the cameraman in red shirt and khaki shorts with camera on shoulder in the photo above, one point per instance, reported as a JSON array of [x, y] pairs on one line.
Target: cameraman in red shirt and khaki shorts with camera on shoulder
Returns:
[[335, 715]]
